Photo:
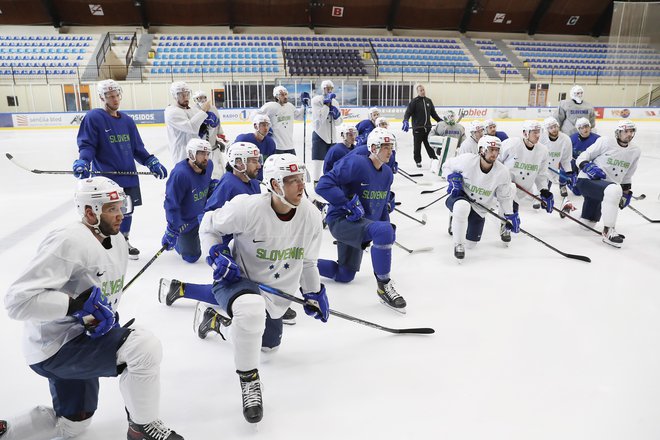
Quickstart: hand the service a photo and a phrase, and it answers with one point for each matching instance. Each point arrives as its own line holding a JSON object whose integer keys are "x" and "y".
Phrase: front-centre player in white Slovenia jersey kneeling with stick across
{"x": 277, "y": 236}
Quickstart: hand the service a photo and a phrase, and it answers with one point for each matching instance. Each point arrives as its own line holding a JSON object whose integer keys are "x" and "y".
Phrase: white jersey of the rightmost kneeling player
{"x": 619, "y": 163}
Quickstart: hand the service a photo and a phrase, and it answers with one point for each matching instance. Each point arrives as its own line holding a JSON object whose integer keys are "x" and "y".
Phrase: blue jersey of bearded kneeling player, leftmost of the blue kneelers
{"x": 185, "y": 195}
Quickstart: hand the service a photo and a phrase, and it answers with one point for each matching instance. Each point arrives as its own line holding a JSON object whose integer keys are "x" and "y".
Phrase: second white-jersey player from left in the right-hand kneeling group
{"x": 527, "y": 161}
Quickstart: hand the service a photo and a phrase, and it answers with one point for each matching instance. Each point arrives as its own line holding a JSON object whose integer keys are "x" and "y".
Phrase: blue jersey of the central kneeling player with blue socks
{"x": 356, "y": 174}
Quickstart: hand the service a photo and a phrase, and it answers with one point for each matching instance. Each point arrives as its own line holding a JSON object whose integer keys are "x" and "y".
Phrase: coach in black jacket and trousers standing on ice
{"x": 421, "y": 109}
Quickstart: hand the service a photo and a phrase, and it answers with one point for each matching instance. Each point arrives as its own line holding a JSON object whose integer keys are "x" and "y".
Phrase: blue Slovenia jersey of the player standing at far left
{"x": 111, "y": 144}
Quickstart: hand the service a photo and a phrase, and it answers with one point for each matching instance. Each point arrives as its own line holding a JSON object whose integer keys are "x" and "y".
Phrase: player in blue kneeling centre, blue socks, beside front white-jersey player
{"x": 358, "y": 190}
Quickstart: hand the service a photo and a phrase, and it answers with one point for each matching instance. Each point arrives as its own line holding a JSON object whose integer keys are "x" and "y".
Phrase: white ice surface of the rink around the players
{"x": 528, "y": 344}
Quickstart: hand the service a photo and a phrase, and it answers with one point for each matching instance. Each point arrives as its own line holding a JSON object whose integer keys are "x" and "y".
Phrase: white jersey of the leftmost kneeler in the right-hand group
{"x": 480, "y": 186}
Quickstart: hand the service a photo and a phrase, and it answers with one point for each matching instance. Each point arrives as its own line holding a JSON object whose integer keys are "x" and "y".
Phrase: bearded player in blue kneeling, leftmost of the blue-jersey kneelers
{"x": 186, "y": 193}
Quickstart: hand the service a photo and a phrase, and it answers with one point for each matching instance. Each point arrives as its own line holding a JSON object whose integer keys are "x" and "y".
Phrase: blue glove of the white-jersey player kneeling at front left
{"x": 93, "y": 302}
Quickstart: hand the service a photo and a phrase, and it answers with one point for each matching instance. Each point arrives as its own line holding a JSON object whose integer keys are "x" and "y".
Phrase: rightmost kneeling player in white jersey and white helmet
{"x": 605, "y": 179}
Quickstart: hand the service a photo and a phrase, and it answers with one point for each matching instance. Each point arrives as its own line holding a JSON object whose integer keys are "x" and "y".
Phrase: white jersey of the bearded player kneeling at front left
{"x": 68, "y": 262}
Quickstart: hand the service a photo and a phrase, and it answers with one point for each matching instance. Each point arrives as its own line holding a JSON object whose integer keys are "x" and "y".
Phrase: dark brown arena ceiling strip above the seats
{"x": 582, "y": 17}
